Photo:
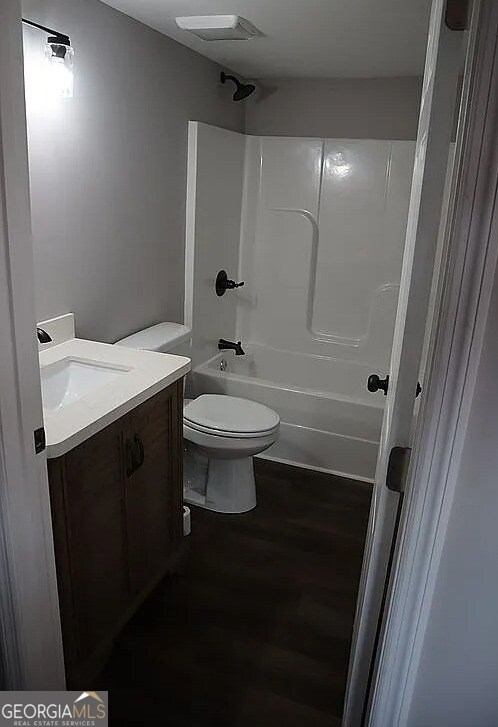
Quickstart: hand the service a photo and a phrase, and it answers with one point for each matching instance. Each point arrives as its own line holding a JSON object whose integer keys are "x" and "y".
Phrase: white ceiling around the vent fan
{"x": 304, "y": 38}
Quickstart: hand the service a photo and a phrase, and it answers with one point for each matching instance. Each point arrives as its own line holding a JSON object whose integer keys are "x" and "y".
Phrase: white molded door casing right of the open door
{"x": 473, "y": 246}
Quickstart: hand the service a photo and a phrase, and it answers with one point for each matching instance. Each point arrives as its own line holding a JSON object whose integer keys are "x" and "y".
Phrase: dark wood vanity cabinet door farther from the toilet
{"x": 95, "y": 524}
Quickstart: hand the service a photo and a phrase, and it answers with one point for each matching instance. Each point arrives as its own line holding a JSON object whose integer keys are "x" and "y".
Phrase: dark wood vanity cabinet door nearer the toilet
{"x": 154, "y": 492}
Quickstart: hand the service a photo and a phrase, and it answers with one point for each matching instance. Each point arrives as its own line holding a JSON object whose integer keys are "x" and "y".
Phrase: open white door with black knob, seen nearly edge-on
{"x": 436, "y": 123}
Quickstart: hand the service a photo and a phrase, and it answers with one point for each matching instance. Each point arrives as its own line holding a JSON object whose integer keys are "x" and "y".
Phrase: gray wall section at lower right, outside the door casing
{"x": 457, "y": 681}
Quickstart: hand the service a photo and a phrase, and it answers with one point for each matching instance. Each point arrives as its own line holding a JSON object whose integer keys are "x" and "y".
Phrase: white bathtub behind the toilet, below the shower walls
{"x": 330, "y": 422}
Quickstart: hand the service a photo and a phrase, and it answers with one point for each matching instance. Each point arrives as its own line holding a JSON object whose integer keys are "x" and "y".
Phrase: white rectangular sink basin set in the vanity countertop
{"x": 67, "y": 380}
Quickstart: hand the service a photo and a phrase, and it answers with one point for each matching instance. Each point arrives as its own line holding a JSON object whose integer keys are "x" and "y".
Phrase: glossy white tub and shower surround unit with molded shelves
{"x": 315, "y": 228}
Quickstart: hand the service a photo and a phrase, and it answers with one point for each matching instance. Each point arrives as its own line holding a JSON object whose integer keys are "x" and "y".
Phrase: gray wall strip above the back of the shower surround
{"x": 376, "y": 108}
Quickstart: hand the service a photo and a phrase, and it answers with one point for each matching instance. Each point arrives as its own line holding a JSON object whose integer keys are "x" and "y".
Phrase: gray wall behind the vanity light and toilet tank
{"x": 108, "y": 168}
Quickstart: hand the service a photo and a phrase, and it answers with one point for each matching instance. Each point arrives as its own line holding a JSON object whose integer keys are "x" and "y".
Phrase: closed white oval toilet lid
{"x": 230, "y": 414}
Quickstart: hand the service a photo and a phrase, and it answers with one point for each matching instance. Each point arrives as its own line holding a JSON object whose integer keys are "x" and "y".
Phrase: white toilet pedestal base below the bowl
{"x": 219, "y": 485}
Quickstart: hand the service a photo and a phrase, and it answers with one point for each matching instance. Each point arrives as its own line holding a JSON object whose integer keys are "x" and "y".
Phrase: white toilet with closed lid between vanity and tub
{"x": 222, "y": 433}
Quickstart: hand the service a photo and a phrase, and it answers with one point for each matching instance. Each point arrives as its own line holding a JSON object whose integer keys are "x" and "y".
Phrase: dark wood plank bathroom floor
{"x": 257, "y": 631}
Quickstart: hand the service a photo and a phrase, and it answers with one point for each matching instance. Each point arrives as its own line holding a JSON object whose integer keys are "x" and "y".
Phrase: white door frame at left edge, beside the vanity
{"x": 30, "y": 632}
